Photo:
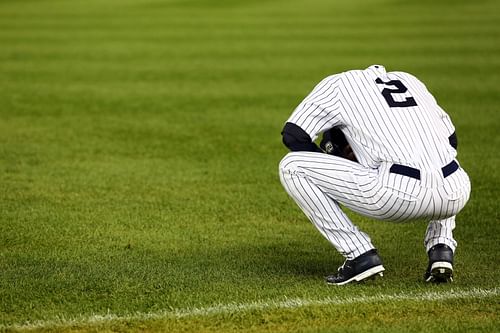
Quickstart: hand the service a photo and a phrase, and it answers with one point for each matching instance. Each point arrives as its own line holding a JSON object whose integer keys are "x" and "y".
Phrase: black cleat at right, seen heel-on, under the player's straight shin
{"x": 440, "y": 268}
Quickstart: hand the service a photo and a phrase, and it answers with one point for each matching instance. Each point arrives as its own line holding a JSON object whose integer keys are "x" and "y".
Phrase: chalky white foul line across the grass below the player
{"x": 291, "y": 303}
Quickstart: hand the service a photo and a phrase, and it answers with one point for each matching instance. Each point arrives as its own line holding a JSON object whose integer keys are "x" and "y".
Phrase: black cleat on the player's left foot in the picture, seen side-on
{"x": 366, "y": 266}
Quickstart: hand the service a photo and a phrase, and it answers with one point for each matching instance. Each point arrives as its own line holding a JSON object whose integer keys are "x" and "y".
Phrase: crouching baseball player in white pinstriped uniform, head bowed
{"x": 388, "y": 151}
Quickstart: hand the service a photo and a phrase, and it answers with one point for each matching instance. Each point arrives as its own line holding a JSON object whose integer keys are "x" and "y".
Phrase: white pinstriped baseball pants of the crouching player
{"x": 319, "y": 183}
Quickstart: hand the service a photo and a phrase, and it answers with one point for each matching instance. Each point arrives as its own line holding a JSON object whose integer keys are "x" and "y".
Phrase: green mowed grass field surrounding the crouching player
{"x": 139, "y": 144}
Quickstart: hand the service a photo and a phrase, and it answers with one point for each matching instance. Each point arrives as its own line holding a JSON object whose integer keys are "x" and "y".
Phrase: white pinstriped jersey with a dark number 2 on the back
{"x": 386, "y": 117}
